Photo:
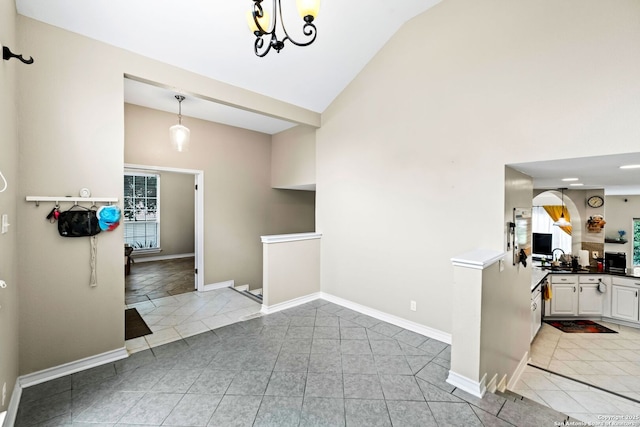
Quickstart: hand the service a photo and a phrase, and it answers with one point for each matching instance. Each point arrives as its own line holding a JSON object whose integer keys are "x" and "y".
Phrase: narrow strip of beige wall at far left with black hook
{"x": 9, "y": 168}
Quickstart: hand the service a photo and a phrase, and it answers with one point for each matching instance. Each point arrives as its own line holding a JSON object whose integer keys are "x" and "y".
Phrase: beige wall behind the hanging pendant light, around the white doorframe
{"x": 240, "y": 204}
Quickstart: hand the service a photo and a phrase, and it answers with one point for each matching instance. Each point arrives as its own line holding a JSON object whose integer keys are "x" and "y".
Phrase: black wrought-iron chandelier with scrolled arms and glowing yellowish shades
{"x": 264, "y": 25}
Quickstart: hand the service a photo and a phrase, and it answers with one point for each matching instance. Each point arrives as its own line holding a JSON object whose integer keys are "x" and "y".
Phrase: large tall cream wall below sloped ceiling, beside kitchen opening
{"x": 411, "y": 155}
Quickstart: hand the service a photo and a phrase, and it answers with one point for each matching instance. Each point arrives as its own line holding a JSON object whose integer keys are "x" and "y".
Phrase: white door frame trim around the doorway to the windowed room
{"x": 198, "y": 220}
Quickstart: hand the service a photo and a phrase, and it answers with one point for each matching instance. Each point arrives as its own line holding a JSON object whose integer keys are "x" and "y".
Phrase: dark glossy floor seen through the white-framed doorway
{"x": 158, "y": 279}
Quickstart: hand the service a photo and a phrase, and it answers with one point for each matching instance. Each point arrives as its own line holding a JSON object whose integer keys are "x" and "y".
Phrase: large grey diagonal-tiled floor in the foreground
{"x": 318, "y": 364}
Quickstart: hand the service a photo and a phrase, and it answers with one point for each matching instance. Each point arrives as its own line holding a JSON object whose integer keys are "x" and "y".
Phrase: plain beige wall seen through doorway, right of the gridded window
{"x": 177, "y": 213}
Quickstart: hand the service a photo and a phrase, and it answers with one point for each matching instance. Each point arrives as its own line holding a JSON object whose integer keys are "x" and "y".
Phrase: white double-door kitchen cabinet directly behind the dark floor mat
{"x": 574, "y": 295}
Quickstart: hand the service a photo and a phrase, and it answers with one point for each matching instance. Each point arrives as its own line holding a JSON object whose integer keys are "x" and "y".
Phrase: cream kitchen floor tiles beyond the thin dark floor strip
{"x": 609, "y": 361}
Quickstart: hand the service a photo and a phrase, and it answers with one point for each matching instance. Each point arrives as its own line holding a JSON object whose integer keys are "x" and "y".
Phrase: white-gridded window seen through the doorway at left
{"x": 142, "y": 211}
